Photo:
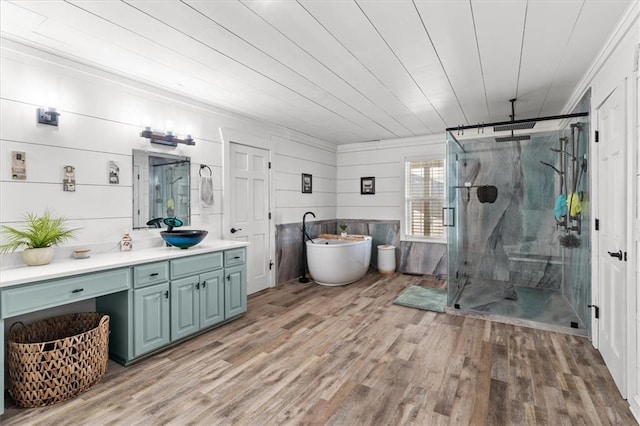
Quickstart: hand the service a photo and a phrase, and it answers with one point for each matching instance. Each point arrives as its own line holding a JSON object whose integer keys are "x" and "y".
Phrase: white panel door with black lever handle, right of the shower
{"x": 612, "y": 214}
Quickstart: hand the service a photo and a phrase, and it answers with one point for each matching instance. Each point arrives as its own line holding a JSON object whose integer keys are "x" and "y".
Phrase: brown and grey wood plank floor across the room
{"x": 306, "y": 354}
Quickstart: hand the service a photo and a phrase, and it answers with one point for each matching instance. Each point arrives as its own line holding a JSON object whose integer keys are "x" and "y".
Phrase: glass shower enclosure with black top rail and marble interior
{"x": 511, "y": 252}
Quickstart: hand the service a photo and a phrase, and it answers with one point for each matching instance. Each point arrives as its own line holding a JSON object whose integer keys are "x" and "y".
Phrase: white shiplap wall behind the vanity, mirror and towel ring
{"x": 101, "y": 117}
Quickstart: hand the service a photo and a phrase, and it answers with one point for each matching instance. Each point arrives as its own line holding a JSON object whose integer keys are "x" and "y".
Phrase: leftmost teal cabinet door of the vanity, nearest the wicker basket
{"x": 151, "y": 318}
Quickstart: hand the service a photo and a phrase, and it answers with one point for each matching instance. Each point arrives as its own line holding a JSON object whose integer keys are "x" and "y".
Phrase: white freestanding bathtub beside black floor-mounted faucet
{"x": 338, "y": 262}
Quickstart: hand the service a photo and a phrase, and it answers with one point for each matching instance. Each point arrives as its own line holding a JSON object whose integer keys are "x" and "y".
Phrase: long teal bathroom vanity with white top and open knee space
{"x": 155, "y": 297}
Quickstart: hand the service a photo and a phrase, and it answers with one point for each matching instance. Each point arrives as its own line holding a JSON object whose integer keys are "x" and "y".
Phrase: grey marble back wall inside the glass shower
{"x": 517, "y": 234}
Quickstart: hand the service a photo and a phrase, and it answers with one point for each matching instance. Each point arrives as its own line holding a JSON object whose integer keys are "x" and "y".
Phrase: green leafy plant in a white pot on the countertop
{"x": 38, "y": 237}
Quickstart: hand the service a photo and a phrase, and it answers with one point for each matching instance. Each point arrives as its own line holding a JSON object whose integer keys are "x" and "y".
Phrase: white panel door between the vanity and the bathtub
{"x": 249, "y": 220}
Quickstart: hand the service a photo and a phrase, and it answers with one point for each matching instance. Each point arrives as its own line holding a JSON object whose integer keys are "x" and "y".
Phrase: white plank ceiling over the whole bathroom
{"x": 340, "y": 70}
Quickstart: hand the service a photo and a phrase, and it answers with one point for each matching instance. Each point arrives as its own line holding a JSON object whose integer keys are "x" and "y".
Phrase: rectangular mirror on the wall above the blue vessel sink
{"x": 161, "y": 188}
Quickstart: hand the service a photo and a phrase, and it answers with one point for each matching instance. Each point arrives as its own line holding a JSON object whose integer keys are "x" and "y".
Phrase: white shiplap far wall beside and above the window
{"x": 384, "y": 161}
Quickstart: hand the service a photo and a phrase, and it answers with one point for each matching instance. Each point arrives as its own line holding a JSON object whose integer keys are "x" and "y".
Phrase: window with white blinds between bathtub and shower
{"x": 425, "y": 198}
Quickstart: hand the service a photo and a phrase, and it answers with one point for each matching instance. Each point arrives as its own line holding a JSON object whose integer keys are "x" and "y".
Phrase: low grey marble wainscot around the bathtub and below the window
{"x": 411, "y": 257}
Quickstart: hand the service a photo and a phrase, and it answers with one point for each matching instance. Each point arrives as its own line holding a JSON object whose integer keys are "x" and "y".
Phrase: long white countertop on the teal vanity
{"x": 104, "y": 261}
